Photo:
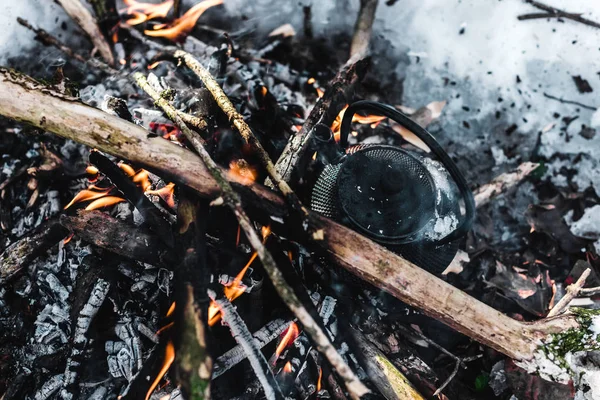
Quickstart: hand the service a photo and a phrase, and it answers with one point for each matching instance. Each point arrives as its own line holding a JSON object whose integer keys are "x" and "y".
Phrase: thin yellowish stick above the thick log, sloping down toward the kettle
{"x": 237, "y": 120}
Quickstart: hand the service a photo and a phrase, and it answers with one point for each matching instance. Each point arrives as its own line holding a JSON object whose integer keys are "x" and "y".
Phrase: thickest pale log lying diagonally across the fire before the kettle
{"x": 68, "y": 118}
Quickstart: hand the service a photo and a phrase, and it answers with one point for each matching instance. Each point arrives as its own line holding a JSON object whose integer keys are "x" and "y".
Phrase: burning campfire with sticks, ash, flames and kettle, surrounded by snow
{"x": 196, "y": 209}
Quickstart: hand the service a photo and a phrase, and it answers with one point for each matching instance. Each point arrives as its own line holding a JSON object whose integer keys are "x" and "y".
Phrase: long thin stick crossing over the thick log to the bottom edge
{"x": 232, "y": 200}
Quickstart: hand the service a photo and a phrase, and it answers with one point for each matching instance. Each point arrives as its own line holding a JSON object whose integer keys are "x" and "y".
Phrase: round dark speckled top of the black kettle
{"x": 364, "y": 199}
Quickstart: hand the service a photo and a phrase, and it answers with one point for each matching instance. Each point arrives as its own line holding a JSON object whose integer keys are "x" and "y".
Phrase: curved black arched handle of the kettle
{"x": 395, "y": 115}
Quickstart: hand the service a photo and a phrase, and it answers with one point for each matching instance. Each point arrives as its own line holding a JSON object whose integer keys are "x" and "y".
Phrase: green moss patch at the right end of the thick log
{"x": 573, "y": 339}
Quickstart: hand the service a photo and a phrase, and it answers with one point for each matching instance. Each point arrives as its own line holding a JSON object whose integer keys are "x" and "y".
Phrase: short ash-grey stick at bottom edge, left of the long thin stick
{"x": 244, "y": 338}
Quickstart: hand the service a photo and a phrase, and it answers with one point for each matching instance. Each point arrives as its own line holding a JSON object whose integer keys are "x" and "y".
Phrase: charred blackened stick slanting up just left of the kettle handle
{"x": 333, "y": 100}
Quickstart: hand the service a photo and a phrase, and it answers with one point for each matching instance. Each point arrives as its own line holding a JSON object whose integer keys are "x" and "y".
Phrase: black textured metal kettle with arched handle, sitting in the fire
{"x": 401, "y": 199}
